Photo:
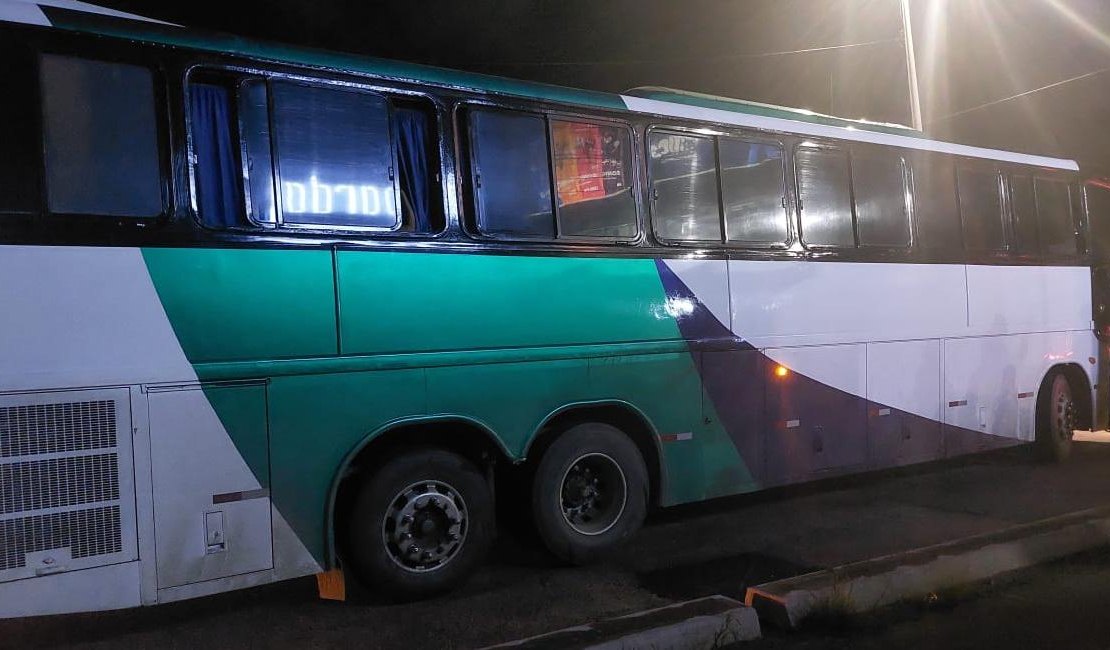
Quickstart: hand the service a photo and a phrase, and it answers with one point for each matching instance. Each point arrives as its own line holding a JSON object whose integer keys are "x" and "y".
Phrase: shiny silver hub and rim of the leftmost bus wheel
{"x": 426, "y": 526}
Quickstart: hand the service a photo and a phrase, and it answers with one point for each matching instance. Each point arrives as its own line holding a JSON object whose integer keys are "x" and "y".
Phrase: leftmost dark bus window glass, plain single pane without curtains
{"x": 102, "y": 138}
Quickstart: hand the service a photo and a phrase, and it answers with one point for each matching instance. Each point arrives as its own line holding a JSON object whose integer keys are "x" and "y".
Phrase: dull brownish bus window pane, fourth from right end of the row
{"x": 936, "y": 214}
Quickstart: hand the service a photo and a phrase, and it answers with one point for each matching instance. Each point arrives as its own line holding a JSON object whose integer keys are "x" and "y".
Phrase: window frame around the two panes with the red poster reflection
{"x": 473, "y": 227}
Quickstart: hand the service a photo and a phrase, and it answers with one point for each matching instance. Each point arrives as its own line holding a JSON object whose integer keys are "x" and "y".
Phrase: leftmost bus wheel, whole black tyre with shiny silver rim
{"x": 420, "y": 525}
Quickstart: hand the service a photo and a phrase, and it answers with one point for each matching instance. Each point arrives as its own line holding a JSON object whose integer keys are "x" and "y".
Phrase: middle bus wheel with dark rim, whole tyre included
{"x": 590, "y": 492}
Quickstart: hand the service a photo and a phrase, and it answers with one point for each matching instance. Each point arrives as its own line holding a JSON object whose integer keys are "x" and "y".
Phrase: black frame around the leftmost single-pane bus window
{"x": 160, "y": 100}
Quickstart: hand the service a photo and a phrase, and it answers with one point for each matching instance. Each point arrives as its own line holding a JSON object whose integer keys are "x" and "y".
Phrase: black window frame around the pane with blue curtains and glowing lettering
{"x": 243, "y": 74}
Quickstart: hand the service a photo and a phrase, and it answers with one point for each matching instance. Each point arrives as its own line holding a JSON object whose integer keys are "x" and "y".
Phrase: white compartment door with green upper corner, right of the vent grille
{"x": 210, "y": 473}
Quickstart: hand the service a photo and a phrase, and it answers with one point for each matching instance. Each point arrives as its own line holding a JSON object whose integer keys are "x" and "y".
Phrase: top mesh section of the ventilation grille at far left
{"x": 53, "y": 429}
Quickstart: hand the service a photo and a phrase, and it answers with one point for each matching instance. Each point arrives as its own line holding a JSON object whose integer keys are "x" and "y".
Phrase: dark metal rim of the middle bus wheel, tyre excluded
{"x": 593, "y": 494}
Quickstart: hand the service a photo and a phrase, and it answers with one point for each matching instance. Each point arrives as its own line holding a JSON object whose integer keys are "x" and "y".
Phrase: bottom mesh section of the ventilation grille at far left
{"x": 86, "y": 533}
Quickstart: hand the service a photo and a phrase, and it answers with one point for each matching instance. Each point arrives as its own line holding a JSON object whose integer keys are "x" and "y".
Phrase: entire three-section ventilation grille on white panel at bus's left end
{"x": 60, "y": 481}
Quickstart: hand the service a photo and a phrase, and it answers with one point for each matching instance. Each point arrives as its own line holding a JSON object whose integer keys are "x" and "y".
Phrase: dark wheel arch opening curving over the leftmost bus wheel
{"x": 466, "y": 436}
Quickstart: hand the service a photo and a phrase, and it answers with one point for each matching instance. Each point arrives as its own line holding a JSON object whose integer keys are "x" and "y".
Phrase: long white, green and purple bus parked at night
{"x": 270, "y": 312}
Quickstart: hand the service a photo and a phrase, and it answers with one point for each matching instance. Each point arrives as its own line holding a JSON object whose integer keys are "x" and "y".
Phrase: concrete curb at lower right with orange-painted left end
{"x": 872, "y": 584}
